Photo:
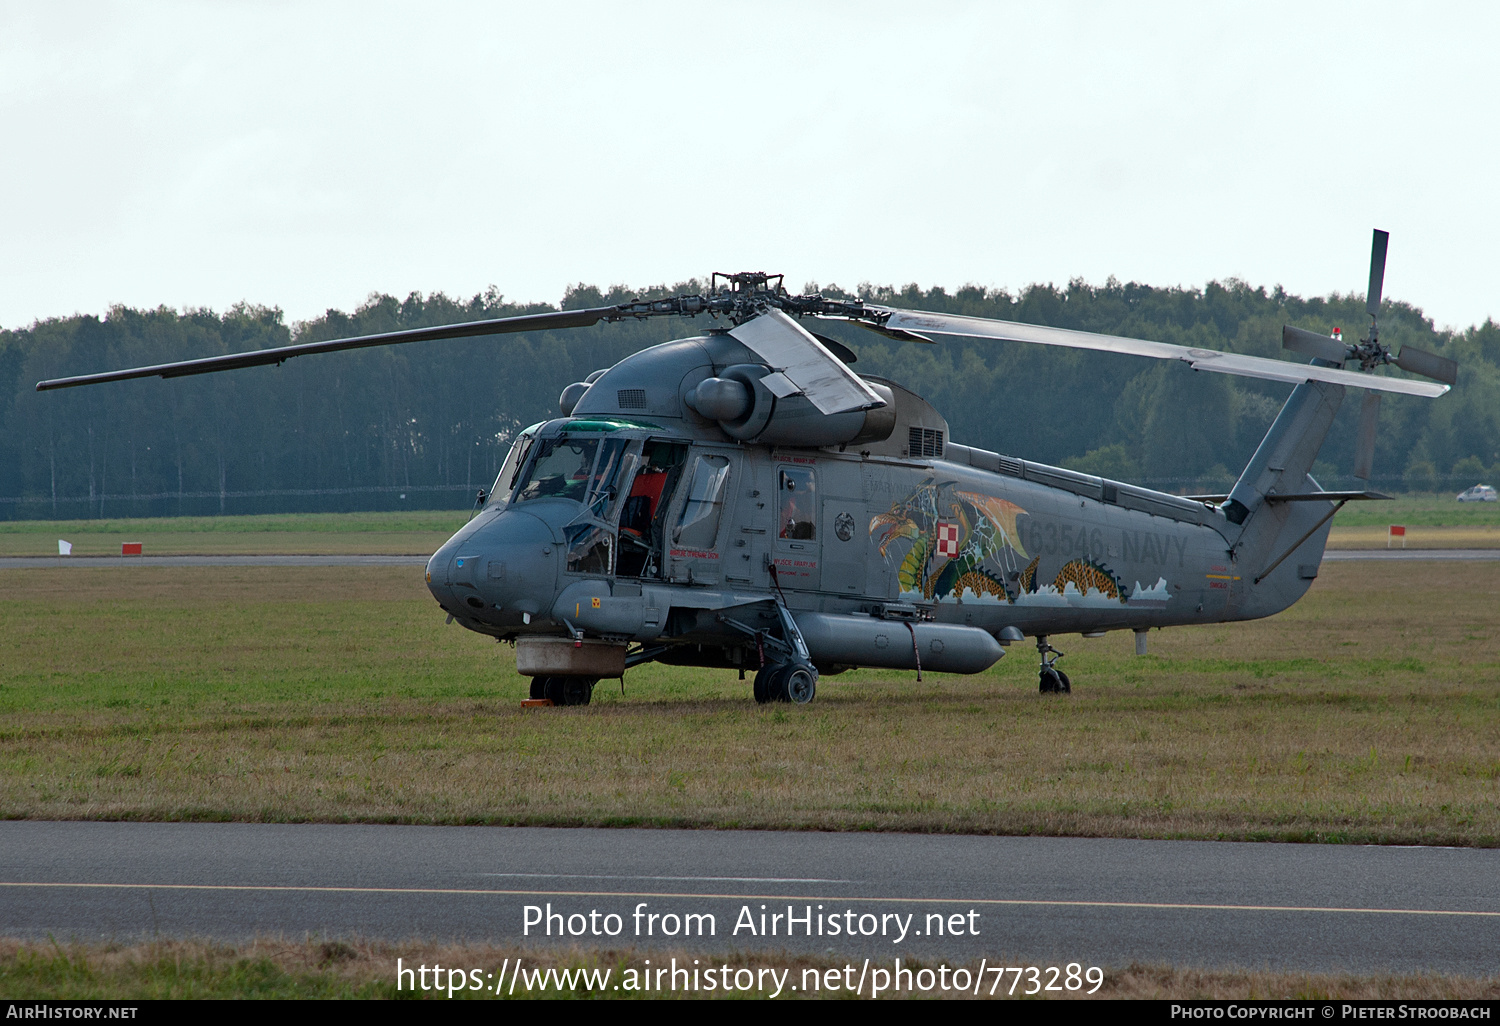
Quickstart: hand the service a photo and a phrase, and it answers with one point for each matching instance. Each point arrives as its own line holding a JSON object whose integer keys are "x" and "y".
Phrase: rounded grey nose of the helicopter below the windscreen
{"x": 502, "y": 568}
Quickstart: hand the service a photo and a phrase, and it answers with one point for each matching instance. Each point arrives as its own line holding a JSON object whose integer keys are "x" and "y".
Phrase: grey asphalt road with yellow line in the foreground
{"x": 1040, "y": 901}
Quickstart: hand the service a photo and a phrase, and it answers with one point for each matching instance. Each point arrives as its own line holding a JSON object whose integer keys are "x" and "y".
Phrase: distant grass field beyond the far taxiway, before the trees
{"x": 1435, "y": 521}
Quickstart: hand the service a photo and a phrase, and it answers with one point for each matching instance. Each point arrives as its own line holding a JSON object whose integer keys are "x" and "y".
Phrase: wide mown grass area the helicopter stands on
{"x": 1367, "y": 713}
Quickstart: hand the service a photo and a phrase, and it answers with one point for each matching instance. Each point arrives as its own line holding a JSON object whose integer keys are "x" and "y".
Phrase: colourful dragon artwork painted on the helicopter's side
{"x": 970, "y": 544}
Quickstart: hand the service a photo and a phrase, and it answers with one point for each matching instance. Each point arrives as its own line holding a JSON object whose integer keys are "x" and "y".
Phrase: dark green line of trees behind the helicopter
{"x": 427, "y": 425}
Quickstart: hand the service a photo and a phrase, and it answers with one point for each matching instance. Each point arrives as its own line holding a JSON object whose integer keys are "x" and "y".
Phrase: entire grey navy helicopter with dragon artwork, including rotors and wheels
{"x": 743, "y": 500}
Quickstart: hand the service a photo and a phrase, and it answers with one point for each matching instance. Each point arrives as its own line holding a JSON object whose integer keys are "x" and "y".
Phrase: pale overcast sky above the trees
{"x": 305, "y": 155}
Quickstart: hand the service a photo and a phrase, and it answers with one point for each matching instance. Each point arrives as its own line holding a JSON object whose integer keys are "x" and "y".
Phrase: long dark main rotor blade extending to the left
{"x": 262, "y": 358}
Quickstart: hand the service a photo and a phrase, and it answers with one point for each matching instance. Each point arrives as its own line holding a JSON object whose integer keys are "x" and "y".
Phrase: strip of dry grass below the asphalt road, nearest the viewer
{"x": 278, "y": 970}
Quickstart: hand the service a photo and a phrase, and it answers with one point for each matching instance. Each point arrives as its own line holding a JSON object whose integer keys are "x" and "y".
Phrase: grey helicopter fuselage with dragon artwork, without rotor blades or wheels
{"x": 662, "y": 514}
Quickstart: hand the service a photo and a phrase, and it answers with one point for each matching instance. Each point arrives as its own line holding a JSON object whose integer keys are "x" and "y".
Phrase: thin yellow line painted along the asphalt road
{"x": 763, "y": 898}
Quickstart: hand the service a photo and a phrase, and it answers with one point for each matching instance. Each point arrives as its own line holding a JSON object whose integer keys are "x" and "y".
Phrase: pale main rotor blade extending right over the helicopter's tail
{"x": 1247, "y": 367}
